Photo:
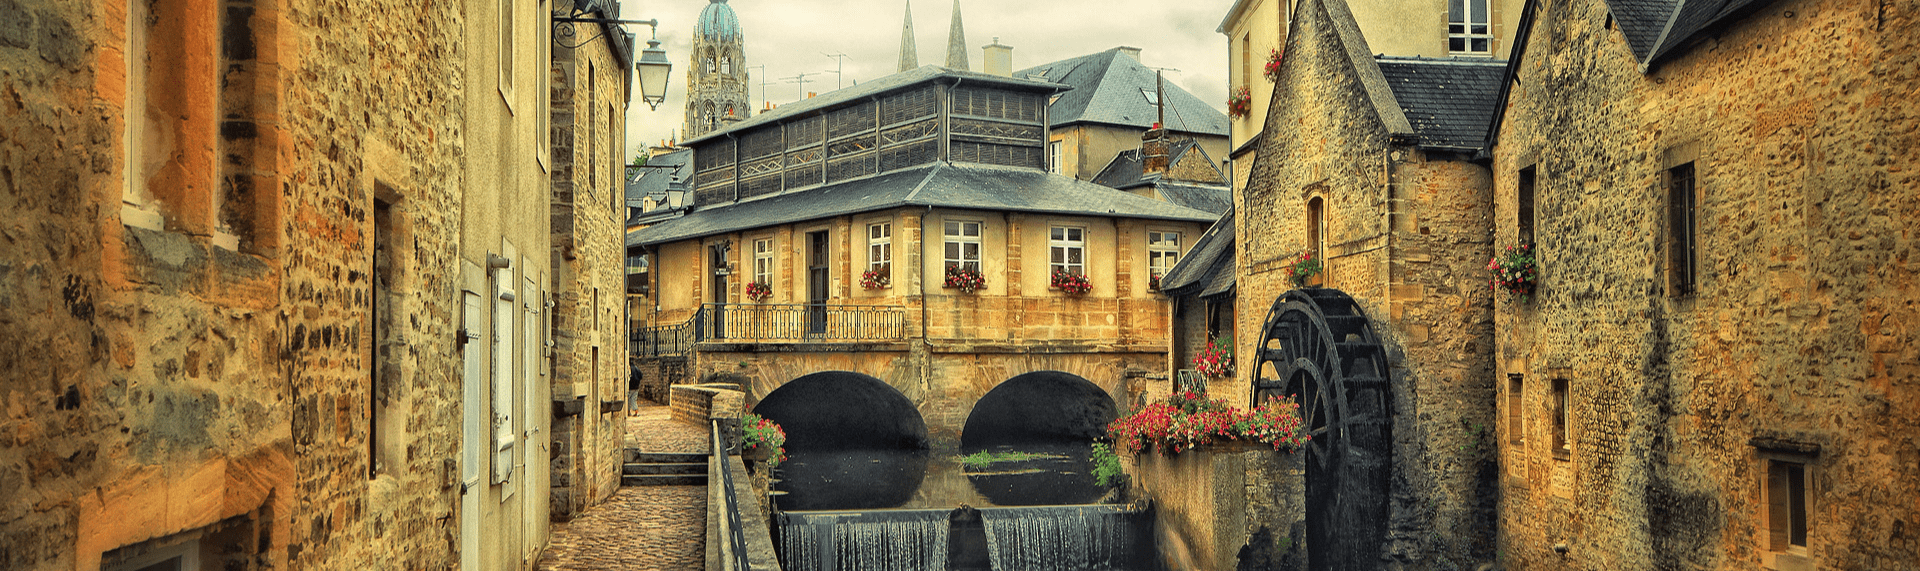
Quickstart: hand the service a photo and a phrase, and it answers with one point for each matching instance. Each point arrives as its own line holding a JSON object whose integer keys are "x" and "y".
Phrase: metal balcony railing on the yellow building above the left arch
{"x": 800, "y": 322}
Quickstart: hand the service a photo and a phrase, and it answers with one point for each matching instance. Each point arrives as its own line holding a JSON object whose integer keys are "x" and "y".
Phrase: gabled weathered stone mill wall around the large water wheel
{"x": 1406, "y": 236}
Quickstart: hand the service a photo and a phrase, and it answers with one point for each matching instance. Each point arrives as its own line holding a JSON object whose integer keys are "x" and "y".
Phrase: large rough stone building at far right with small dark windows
{"x": 1717, "y": 366}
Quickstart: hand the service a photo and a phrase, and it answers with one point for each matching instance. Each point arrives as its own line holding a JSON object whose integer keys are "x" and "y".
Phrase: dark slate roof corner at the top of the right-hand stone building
{"x": 1656, "y": 30}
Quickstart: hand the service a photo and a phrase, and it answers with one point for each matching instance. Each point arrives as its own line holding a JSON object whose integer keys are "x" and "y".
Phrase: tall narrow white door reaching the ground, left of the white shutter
{"x": 473, "y": 434}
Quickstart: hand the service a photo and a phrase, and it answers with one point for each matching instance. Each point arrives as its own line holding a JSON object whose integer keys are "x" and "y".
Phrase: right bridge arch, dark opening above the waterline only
{"x": 1042, "y": 407}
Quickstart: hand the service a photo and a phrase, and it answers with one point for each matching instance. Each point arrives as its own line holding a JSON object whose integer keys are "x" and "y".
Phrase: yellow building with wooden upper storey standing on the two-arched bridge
{"x": 852, "y": 207}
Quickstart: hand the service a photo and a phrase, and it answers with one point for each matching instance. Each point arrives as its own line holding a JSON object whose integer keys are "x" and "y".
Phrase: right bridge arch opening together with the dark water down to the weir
{"x": 1047, "y": 414}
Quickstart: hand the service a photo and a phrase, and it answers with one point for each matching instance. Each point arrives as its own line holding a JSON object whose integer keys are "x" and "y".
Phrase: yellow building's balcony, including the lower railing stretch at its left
{"x": 765, "y": 324}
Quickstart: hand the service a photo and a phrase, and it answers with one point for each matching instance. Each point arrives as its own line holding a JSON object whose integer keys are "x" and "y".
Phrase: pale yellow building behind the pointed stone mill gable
{"x": 1257, "y": 32}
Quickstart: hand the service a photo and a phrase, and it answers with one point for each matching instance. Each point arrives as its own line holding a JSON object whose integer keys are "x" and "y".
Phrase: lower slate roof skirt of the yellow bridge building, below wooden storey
{"x": 944, "y": 186}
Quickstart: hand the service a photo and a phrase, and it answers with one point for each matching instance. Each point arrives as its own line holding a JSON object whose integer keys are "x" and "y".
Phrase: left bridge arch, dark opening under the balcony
{"x": 844, "y": 410}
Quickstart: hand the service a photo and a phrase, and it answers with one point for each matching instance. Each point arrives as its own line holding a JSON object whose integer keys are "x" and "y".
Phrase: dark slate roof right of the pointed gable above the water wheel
{"x": 1451, "y": 103}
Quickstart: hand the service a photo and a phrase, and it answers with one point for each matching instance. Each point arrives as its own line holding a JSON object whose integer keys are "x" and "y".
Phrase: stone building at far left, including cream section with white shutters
{"x": 276, "y": 287}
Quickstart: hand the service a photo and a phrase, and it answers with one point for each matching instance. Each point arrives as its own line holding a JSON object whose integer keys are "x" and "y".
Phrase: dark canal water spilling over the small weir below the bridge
{"x": 926, "y": 510}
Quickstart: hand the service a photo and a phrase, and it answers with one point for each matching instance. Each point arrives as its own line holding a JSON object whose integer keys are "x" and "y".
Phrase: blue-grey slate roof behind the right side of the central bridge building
{"x": 1107, "y": 89}
